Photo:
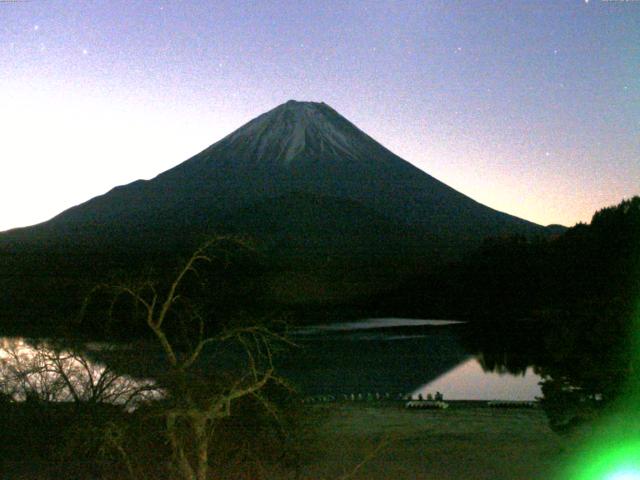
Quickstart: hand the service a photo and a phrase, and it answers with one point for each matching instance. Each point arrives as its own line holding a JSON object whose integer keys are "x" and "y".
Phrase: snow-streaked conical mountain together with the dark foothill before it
{"x": 300, "y": 178}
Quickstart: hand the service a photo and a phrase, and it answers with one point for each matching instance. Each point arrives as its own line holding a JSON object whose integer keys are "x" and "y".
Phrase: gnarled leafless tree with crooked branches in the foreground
{"x": 197, "y": 399}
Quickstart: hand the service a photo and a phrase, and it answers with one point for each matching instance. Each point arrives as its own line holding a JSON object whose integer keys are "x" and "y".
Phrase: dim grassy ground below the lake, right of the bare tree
{"x": 463, "y": 442}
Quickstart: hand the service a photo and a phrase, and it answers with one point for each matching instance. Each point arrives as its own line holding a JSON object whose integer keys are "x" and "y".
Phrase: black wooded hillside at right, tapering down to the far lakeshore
{"x": 588, "y": 269}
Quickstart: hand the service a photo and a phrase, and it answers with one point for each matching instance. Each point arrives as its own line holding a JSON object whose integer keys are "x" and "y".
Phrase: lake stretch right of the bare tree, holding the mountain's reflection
{"x": 400, "y": 356}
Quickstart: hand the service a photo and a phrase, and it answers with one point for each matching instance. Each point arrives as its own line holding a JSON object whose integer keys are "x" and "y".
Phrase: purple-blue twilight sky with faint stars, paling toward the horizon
{"x": 530, "y": 107}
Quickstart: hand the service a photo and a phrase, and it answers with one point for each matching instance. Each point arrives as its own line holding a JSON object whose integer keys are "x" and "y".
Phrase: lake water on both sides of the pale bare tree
{"x": 395, "y": 356}
